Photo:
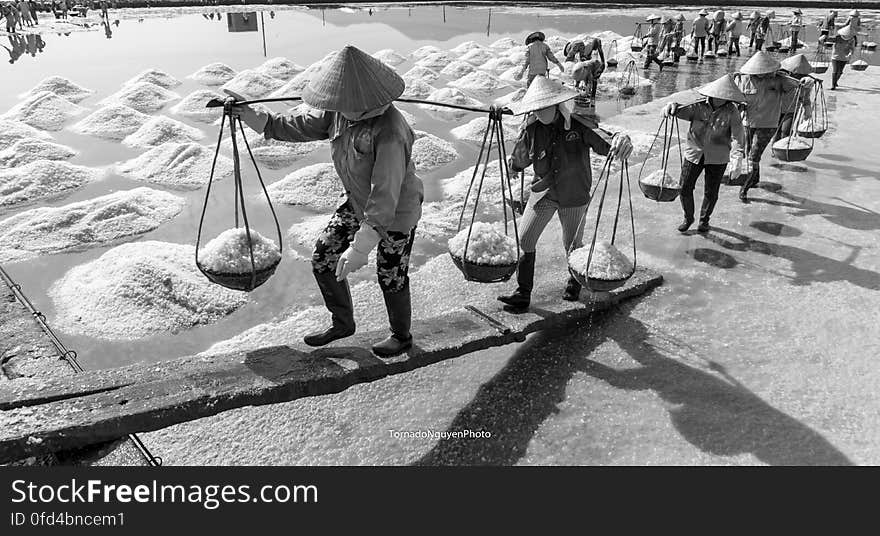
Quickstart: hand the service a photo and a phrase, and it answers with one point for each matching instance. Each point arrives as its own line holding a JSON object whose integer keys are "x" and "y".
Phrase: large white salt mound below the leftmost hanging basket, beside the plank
{"x": 137, "y": 290}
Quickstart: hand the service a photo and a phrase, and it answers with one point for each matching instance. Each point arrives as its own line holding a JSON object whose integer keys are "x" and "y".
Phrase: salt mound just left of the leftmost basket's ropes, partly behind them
{"x": 180, "y": 165}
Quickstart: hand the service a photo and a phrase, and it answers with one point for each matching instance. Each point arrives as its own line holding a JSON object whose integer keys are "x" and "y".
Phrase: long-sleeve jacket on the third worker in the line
{"x": 711, "y": 131}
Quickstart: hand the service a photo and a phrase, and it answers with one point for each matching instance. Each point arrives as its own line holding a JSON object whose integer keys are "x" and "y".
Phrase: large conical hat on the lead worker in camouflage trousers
{"x": 353, "y": 81}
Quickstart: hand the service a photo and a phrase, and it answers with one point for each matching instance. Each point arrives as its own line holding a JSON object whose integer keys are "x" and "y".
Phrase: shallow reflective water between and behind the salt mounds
{"x": 182, "y": 43}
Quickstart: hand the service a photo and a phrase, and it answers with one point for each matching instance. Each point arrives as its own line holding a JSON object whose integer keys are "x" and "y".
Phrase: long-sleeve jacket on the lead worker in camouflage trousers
{"x": 372, "y": 159}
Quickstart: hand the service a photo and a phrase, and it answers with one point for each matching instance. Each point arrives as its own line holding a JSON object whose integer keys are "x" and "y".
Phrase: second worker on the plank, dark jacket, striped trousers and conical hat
{"x": 557, "y": 145}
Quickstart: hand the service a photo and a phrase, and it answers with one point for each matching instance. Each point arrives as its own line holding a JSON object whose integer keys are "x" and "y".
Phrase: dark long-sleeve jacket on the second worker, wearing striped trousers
{"x": 562, "y": 154}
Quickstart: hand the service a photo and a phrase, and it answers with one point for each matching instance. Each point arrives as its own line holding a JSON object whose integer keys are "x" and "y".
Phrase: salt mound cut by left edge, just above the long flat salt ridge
{"x": 42, "y": 179}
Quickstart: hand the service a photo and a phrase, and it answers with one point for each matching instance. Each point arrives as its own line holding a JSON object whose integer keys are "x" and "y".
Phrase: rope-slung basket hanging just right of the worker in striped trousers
{"x": 597, "y": 284}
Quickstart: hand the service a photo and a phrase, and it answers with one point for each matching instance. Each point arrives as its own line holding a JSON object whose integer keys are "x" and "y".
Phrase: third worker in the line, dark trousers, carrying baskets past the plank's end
{"x": 715, "y": 122}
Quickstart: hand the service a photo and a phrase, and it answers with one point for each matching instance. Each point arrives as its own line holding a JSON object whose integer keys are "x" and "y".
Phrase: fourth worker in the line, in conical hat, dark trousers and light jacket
{"x": 764, "y": 88}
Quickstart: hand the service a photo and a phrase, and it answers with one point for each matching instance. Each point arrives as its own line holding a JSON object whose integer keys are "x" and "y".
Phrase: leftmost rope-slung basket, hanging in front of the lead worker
{"x": 256, "y": 276}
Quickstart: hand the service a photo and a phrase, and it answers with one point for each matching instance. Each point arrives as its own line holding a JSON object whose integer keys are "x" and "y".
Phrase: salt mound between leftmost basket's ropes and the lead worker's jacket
{"x": 316, "y": 186}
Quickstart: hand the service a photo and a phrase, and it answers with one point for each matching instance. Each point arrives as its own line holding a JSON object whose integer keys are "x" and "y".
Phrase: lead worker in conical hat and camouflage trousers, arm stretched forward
{"x": 370, "y": 143}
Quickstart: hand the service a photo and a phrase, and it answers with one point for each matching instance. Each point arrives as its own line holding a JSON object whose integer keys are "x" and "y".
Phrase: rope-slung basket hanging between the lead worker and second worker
{"x": 471, "y": 269}
